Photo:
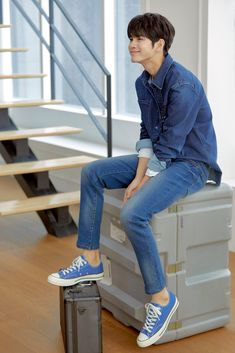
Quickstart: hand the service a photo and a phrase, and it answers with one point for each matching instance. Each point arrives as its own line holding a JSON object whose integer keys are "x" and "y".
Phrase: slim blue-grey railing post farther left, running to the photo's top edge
{"x": 52, "y": 48}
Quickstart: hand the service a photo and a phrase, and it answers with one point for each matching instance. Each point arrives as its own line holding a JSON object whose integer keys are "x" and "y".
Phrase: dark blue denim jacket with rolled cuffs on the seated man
{"x": 176, "y": 119}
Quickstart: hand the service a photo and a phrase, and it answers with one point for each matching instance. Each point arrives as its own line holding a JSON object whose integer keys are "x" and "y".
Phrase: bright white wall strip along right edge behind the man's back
{"x": 221, "y": 79}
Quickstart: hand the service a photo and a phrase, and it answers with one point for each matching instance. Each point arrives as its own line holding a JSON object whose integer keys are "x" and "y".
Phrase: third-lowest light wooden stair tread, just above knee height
{"x": 49, "y": 131}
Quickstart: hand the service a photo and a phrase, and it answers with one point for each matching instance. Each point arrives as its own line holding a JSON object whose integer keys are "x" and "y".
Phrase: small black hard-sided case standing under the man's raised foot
{"x": 80, "y": 318}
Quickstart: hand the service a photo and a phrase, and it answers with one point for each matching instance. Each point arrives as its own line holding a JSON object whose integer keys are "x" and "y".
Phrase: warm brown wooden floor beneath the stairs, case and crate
{"x": 29, "y": 306}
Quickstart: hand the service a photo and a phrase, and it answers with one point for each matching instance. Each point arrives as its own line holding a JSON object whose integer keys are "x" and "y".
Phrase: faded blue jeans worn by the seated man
{"x": 181, "y": 178}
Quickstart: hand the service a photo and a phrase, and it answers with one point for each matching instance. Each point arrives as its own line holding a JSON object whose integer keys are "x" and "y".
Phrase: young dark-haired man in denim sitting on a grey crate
{"x": 176, "y": 156}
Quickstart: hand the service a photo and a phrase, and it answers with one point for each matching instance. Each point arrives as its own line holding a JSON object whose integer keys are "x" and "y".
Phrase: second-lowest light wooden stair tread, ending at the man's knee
{"x": 39, "y": 166}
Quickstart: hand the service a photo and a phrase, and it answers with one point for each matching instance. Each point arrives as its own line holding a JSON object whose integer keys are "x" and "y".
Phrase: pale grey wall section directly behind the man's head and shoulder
{"x": 189, "y": 18}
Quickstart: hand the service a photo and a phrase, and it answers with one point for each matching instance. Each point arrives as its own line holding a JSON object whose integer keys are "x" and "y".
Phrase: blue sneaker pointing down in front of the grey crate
{"x": 157, "y": 320}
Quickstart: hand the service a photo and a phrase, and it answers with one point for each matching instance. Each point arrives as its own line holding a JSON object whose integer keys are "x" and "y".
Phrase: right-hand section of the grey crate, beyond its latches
{"x": 203, "y": 277}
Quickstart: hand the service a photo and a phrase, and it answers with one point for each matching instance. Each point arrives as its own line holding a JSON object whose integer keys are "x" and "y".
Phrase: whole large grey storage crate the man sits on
{"x": 192, "y": 238}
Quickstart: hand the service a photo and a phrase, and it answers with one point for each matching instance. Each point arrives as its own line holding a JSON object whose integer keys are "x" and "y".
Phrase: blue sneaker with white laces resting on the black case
{"x": 79, "y": 271}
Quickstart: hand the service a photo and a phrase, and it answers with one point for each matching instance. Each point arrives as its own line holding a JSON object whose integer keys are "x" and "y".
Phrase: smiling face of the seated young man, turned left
{"x": 142, "y": 50}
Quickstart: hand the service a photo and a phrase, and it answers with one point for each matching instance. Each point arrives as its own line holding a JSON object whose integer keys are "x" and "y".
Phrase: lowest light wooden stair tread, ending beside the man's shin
{"x": 39, "y": 203}
